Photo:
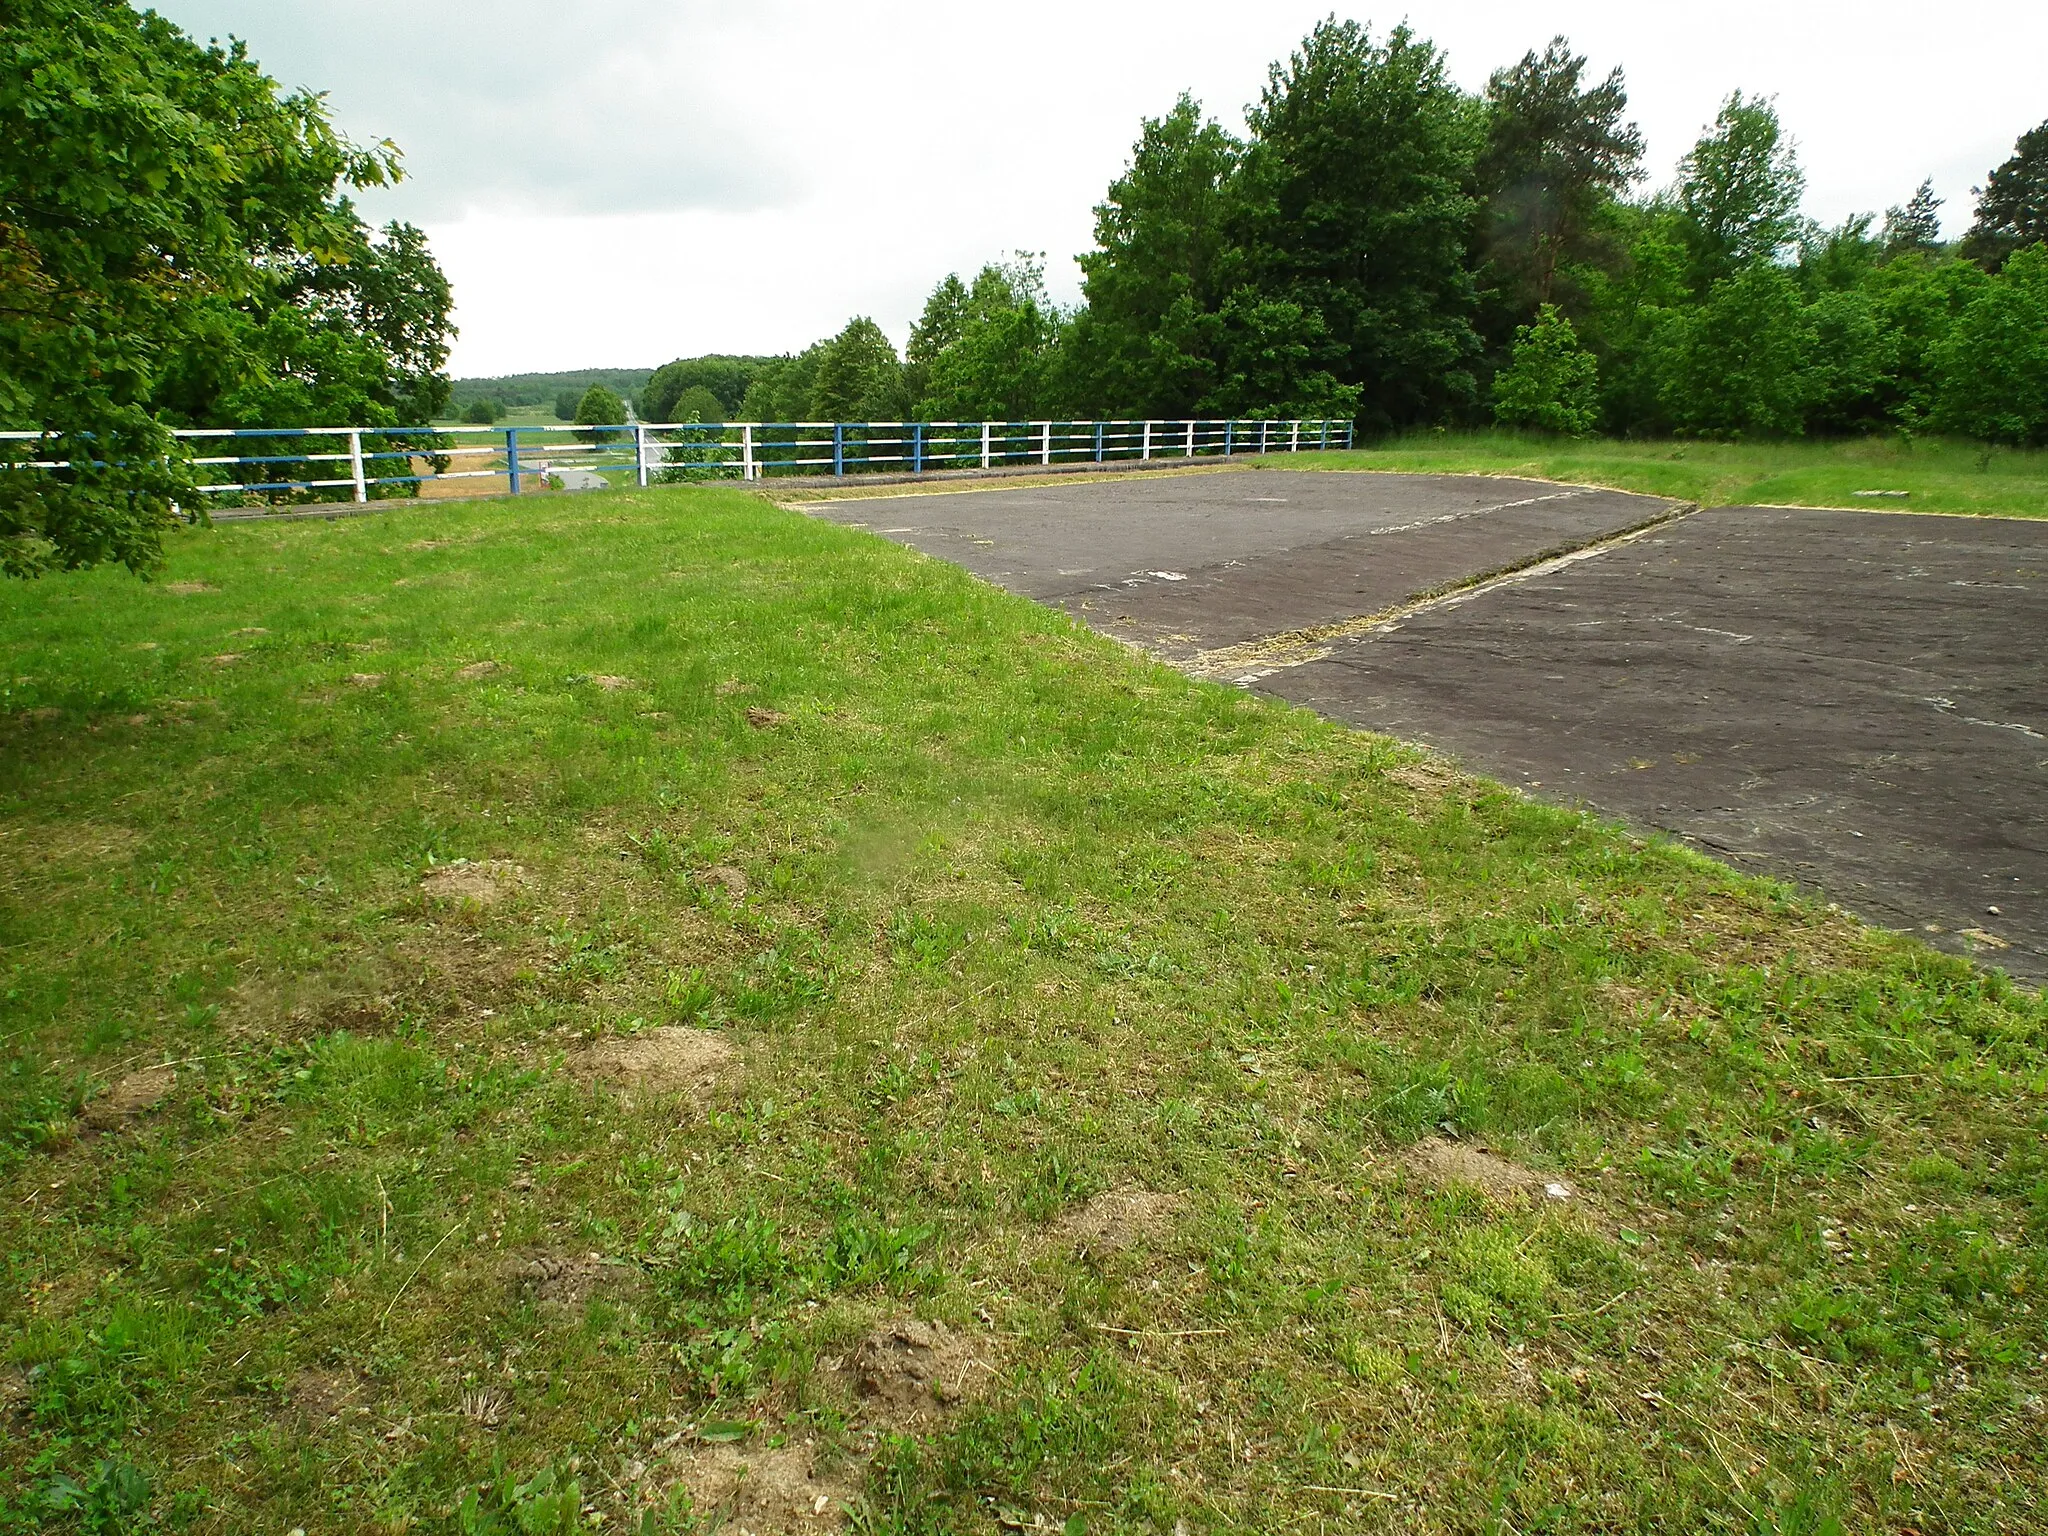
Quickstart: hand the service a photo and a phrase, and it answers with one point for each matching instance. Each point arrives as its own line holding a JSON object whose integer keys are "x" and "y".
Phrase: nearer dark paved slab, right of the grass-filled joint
{"x": 1857, "y": 701}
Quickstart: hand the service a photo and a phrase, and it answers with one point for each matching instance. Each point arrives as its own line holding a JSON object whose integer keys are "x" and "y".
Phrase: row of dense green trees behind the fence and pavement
{"x": 1392, "y": 249}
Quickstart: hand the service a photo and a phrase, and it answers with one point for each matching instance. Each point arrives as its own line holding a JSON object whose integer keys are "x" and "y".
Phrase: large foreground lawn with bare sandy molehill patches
{"x": 519, "y": 1013}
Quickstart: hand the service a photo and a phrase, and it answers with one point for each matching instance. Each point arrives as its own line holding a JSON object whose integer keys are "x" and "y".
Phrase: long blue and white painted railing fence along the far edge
{"x": 327, "y": 464}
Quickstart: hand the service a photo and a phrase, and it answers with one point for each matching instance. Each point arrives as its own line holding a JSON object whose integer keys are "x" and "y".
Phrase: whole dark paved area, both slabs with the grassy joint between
{"x": 1852, "y": 701}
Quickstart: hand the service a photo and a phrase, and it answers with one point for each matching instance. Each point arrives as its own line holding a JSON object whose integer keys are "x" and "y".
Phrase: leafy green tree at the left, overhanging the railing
{"x": 177, "y": 249}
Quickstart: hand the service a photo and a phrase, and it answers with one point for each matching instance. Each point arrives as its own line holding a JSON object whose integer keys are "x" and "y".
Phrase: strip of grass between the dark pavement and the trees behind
{"x": 1938, "y": 476}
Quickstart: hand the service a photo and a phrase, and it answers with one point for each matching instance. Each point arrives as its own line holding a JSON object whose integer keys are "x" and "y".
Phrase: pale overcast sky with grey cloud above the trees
{"x": 613, "y": 183}
